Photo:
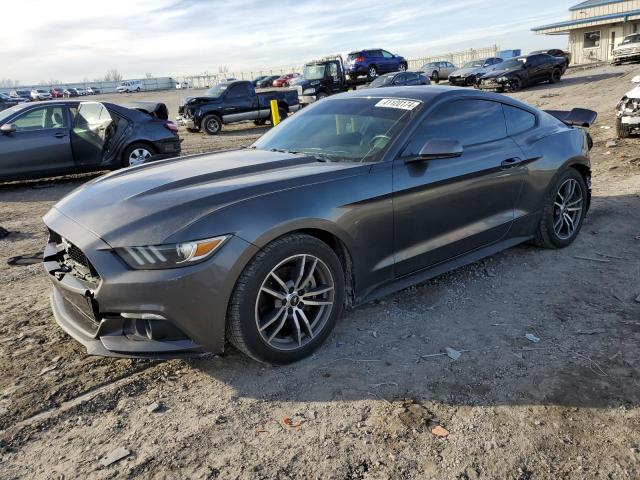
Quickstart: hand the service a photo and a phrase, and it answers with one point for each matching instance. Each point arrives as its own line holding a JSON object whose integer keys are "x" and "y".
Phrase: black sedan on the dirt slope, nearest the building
{"x": 520, "y": 72}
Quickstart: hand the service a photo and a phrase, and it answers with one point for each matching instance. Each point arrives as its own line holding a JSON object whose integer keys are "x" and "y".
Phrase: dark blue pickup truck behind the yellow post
{"x": 233, "y": 102}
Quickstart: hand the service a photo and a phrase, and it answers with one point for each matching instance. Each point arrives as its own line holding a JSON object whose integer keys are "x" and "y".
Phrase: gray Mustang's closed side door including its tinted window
{"x": 450, "y": 206}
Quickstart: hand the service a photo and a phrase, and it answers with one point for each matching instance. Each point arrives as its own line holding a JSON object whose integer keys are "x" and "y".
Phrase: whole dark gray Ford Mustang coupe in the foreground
{"x": 356, "y": 196}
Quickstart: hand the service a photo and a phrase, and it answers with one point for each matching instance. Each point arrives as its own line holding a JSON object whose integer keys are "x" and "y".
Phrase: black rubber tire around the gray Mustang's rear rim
{"x": 546, "y": 235}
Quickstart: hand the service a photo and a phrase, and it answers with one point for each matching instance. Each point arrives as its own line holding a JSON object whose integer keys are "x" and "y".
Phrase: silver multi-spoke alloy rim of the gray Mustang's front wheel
{"x": 294, "y": 302}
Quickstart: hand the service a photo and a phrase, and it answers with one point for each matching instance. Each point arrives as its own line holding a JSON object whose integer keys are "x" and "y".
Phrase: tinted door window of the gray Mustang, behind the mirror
{"x": 469, "y": 121}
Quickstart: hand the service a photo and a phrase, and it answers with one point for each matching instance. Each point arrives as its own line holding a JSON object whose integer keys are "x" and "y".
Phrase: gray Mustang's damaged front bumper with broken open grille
{"x": 116, "y": 311}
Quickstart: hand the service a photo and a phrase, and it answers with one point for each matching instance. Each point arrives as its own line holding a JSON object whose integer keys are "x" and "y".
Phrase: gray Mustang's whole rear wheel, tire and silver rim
{"x": 564, "y": 211}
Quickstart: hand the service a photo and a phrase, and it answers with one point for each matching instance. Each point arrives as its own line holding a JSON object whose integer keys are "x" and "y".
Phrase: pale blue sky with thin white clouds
{"x": 80, "y": 39}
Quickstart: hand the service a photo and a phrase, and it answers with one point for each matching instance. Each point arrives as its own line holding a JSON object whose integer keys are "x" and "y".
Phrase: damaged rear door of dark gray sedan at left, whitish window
{"x": 92, "y": 128}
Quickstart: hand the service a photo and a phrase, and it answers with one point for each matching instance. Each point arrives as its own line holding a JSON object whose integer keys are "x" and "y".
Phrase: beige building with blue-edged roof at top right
{"x": 596, "y": 27}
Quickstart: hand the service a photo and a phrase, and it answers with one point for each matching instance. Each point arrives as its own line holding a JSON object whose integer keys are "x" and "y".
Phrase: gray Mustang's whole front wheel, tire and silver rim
{"x": 287, "y": 300}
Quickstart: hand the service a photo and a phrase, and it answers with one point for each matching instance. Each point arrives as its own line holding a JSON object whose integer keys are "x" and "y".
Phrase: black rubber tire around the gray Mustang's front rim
{"x": 242, "y": 328}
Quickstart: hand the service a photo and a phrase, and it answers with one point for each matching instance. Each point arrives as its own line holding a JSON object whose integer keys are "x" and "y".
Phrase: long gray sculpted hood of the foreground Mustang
{"x": 153, "y": 203}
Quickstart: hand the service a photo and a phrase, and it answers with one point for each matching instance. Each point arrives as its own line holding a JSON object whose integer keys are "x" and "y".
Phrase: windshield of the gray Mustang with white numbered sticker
{"x": 343, "y": 130}
